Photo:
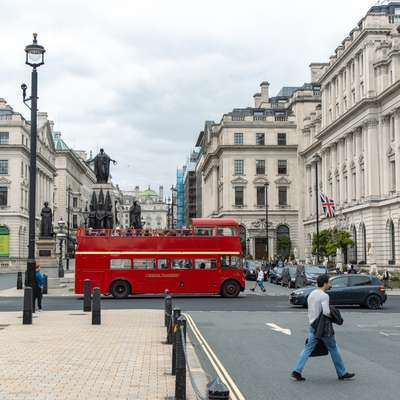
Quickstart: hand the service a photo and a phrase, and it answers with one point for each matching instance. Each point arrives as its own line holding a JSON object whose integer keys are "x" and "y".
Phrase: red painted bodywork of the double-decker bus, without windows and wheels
{"x": 93, "y": 255}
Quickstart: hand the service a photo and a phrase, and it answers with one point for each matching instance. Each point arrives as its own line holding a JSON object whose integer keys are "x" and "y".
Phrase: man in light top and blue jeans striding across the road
{"x": 318, "y": 303}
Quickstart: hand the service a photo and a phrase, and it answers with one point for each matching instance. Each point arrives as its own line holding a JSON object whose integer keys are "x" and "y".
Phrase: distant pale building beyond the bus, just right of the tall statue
{"x": 153, "y": 206}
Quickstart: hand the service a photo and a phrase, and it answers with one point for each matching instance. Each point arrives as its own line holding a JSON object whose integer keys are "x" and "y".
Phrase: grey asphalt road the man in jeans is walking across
{"x": 260, "y": 359}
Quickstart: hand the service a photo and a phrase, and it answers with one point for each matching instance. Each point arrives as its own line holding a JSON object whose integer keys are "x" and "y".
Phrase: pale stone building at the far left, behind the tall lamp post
{"x": 14, "y": 182}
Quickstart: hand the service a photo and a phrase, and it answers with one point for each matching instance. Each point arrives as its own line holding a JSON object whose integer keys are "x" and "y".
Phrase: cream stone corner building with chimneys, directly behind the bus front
{"x": 248, "y": 148}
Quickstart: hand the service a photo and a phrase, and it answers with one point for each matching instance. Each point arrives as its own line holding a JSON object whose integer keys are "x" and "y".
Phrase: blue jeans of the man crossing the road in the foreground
{"x": 330, "y": 344}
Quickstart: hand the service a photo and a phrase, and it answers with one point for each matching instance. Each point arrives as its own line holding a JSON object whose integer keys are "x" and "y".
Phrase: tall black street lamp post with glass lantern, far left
{"x": 34, "y": 58}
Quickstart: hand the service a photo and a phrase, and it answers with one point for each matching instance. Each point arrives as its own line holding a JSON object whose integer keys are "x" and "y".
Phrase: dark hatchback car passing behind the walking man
{"x": 361, "y": 289}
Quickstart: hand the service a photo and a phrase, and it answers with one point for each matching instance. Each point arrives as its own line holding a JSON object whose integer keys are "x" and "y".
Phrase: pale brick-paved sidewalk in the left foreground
{"x": 62, "y": 356}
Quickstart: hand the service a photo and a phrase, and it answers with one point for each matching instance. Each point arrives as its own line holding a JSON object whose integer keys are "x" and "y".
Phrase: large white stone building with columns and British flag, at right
{"x": 356, "y": 131}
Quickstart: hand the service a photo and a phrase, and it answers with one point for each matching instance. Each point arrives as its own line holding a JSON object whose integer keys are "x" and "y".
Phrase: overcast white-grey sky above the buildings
{"x": 139, "y": 78}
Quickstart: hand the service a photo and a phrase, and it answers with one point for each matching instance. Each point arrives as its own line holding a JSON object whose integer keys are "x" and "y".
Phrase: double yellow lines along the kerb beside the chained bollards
{"x": 235, "y": 393}
